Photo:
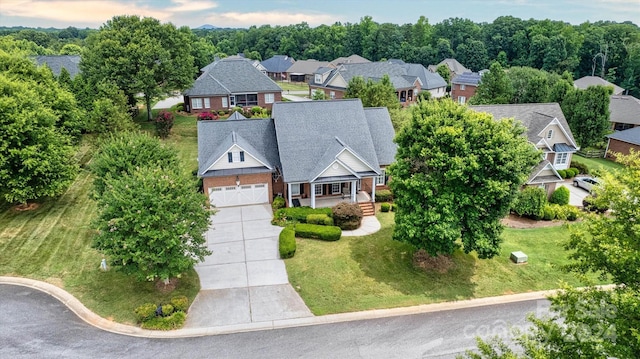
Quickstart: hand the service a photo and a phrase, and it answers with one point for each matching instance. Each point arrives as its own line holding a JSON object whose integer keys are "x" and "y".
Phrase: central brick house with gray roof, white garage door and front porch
{"x": 308, "y": 151}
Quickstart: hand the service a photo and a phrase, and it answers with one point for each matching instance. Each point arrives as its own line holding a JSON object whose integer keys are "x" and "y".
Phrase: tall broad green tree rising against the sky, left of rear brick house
{"x": 140, "y": 55}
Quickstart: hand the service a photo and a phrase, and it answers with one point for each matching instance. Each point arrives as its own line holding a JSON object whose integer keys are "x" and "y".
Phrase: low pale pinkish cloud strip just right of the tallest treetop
{"x": 238, "y": 19}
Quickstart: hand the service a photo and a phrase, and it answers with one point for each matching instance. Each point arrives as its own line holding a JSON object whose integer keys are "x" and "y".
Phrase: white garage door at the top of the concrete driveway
{"x": 239, "y": 195}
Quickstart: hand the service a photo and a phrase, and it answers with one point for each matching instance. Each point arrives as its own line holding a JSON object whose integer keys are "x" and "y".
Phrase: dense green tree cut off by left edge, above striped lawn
{"x": 36, "y": 158}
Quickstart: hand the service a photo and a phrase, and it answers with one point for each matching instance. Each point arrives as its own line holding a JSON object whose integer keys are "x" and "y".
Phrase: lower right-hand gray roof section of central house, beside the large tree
{"x": 382, "y": 134}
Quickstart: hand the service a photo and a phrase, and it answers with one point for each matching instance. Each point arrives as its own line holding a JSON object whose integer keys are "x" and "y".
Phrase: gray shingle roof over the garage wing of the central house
{"x": 256, "y": 137}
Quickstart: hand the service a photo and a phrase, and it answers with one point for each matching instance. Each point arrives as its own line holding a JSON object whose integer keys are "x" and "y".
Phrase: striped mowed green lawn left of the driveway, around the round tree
{"x": 53, "y": 243}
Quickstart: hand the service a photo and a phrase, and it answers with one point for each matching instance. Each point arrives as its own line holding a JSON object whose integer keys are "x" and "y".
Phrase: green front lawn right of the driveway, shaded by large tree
{"x": 361, "y": 273}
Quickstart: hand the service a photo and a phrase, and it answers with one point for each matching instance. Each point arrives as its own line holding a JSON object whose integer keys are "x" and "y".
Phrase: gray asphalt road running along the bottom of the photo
{"x": 35, "y": 325}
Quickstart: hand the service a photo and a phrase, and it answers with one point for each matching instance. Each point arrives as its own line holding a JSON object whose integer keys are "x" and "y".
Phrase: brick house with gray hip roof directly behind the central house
{"x": 228, "y": 83}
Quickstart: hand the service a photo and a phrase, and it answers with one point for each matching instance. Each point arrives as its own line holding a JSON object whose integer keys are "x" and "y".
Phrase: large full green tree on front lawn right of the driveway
{"x": 455, "y": 175}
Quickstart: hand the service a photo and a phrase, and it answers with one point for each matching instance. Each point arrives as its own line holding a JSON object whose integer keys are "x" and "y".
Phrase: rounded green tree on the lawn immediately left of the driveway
{"x": 151, "y": 223}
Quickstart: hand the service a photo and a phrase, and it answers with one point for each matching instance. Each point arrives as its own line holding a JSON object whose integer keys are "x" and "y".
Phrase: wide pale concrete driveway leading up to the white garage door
{"x": 244, "y": 280}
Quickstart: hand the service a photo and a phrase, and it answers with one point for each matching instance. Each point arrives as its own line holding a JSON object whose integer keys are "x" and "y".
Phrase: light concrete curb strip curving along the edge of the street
{"x": 101, "y": 323}
